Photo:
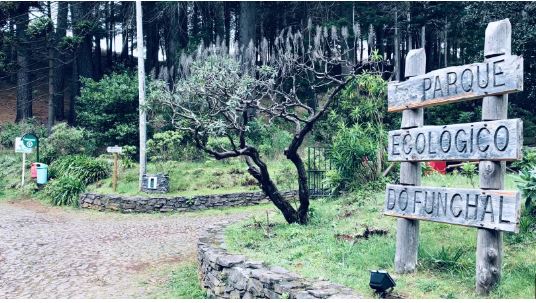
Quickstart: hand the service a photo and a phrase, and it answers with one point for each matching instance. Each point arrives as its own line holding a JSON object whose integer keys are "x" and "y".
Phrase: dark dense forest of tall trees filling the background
{"x": 57, "y": 41}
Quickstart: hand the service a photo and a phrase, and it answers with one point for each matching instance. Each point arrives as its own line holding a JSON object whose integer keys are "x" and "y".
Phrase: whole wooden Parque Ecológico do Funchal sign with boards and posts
{"x": 492, "y": 141}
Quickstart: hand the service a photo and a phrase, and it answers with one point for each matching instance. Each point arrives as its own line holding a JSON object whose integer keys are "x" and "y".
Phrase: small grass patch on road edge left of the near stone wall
{"x": 183, "y": 284}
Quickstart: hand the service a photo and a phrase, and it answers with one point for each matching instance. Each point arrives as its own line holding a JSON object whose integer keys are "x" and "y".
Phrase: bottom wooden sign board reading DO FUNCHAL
{"x": 492, "y": 209}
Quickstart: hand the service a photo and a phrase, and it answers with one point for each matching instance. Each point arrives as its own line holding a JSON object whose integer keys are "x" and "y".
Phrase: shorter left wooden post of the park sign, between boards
{"x": 407, "y": 231}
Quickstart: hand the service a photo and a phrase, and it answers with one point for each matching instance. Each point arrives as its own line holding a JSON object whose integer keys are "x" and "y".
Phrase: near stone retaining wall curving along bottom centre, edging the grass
{"x": 225, "y": 275}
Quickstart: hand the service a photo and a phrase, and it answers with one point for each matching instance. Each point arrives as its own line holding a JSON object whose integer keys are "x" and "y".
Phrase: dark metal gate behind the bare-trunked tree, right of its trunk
{"x": 318, "y": 163}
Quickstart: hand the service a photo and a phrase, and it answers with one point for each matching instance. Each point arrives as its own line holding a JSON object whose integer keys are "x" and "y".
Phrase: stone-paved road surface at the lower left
{"x": 48, "y": 252}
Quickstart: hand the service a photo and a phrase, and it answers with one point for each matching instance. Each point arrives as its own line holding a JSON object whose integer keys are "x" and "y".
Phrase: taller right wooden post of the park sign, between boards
{"x": 489, "y": 242}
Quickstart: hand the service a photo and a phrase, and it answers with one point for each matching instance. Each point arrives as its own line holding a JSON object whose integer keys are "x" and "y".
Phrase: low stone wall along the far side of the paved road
{"x": 142, "y": 204}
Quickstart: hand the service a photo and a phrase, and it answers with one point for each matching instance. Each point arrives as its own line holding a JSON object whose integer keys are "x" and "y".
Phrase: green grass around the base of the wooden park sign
{"x": 446, "y": 257}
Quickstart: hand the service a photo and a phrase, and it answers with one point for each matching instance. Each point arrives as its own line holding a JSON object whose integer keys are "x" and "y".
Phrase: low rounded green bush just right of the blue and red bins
{"x": 86, "y": 169}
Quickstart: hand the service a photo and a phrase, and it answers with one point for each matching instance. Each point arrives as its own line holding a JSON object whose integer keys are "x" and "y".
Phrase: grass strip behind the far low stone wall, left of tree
{"x": 196, "y": 178}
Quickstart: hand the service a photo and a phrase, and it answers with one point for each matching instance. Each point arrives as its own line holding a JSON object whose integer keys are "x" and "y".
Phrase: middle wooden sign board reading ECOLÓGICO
{"x": 490, "y": 140}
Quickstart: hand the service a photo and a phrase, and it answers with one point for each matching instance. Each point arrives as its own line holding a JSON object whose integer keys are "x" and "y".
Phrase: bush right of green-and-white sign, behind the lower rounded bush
{"x": 65, "y": 140}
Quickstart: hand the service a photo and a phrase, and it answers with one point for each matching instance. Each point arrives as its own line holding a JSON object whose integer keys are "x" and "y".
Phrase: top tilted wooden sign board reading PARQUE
{"x": 497, "y": 76}
